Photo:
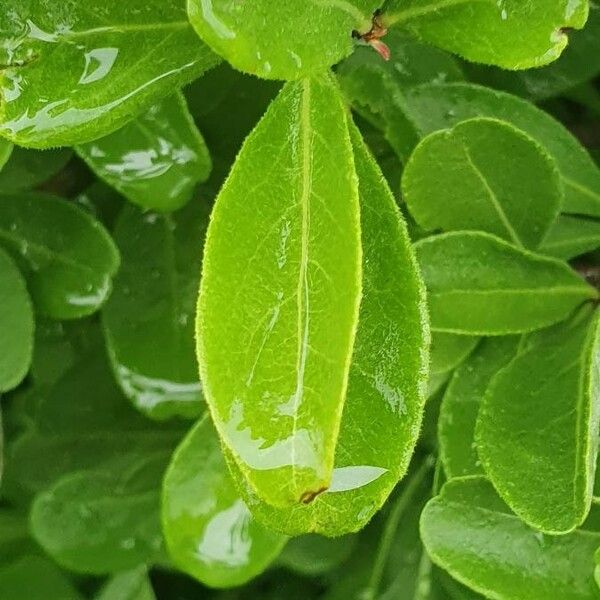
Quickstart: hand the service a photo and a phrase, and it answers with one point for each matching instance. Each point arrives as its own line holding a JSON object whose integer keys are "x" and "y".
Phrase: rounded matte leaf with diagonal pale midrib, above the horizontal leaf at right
{"x": 489, "y": 176}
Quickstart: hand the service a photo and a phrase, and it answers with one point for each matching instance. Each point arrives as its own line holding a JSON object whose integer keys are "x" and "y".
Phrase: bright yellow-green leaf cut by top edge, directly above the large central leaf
{"x": 283, "y": 40}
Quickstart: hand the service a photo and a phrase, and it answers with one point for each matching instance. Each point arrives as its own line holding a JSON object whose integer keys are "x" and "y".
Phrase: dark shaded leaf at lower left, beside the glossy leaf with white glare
{"x": 102, "y": 521}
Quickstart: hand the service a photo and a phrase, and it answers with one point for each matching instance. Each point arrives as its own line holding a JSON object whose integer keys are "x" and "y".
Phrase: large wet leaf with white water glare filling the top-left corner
{"x": 75, "y": 72}
